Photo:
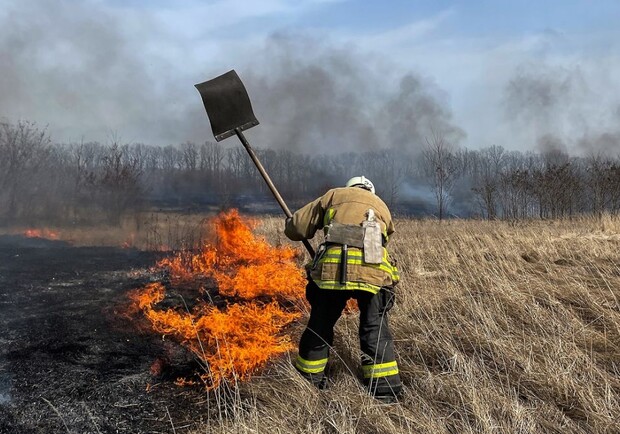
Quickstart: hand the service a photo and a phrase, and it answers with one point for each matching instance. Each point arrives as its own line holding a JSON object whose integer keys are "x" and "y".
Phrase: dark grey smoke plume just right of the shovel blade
{"x": 316, "y": 97}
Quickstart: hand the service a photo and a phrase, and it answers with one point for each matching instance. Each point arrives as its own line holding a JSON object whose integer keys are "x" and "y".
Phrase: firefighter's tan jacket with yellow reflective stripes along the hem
{"x": 349, "y": 206}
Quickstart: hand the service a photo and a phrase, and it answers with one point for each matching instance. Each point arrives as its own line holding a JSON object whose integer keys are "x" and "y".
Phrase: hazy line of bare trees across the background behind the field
{"x": 91, "y": 182}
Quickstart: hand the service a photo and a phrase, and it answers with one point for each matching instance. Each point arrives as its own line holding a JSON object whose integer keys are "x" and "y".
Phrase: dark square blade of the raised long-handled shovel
{"x": 228, "y": 105}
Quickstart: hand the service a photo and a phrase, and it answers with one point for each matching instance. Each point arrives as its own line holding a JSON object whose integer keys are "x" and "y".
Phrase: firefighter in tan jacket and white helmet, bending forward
{"x": 352, "y": 263}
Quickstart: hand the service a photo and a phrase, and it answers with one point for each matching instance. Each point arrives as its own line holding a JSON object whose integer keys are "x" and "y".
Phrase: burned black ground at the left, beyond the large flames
{"x": 69, "y": 362}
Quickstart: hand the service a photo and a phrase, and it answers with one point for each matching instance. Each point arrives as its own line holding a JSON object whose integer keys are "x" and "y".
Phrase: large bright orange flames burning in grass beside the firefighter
{"x": 235, "y": 341}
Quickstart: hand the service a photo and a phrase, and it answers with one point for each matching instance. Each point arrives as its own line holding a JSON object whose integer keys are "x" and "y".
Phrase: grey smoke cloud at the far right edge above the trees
{"x": 563, "y": 109}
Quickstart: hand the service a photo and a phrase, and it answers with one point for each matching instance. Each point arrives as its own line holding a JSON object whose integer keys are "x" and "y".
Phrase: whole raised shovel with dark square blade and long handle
{"x": 230, "y": 112}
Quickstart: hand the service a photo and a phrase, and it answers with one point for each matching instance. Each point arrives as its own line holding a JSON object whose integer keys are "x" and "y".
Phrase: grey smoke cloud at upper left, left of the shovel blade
{"x": 83, "y": 69}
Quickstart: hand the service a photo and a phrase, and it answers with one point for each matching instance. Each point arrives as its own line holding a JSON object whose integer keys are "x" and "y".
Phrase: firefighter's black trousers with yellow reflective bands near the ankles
{"x": 379, "y": 367}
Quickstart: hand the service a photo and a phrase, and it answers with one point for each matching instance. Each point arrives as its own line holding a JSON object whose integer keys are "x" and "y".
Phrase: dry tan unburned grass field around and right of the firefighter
{"x": 499, "y": 327}
